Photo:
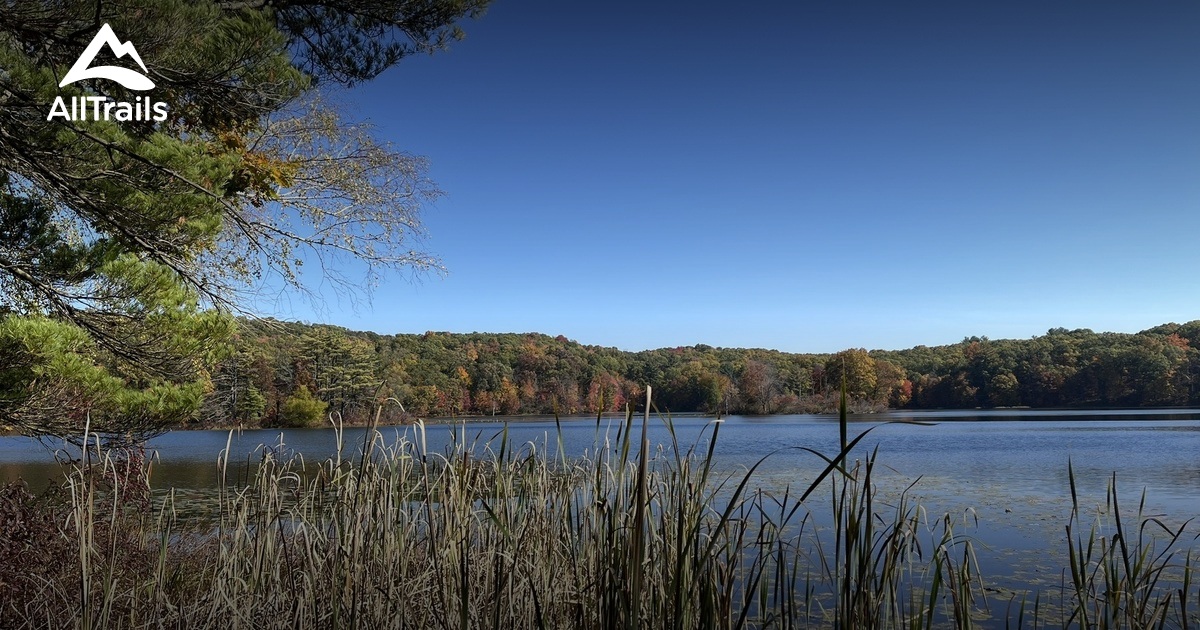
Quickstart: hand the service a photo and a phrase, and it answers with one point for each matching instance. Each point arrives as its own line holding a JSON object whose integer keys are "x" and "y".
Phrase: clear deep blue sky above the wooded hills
{"x": 806, "y": 177}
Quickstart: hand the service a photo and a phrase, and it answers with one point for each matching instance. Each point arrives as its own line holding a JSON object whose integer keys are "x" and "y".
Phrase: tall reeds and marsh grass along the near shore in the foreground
{"x": 501, "y": 535}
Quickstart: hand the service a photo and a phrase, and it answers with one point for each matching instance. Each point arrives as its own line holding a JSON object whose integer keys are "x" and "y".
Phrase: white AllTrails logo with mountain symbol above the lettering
{"x": 143, "y": 109}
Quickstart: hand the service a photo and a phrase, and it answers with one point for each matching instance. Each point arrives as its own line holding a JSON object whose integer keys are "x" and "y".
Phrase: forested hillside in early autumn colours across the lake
{"x": 287, "y": 374}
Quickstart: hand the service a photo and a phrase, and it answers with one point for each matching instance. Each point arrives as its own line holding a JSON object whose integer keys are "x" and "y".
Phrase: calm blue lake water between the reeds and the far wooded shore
{"x": 1001, "y": 473}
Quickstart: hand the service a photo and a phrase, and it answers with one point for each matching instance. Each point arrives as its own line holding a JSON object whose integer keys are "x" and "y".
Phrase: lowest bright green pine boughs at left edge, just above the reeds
{"x": 58, "y": 376}
